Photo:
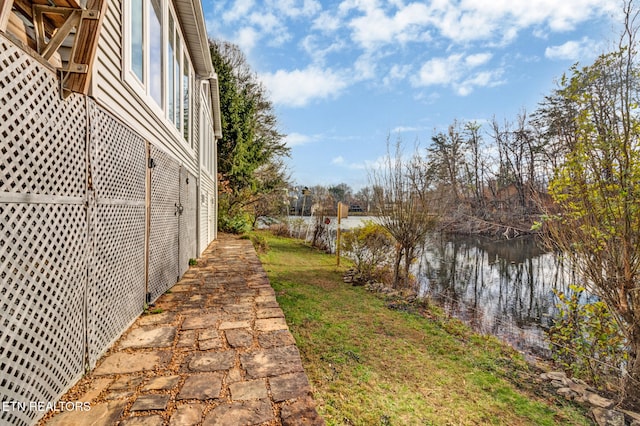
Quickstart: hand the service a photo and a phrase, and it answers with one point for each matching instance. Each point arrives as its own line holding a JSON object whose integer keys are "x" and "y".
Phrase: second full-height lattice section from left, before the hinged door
{"x": 117, "y": 270}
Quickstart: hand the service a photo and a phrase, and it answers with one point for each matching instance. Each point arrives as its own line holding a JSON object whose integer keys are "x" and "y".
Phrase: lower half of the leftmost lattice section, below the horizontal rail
{"x": 42, "y": 276}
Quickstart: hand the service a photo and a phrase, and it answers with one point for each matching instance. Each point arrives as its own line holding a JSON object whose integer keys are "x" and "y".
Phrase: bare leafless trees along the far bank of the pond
{"x": 490, "y": 179}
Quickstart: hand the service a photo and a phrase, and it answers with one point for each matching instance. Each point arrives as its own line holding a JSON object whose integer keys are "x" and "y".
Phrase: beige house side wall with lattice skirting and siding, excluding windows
{"x": 102, "y": 205}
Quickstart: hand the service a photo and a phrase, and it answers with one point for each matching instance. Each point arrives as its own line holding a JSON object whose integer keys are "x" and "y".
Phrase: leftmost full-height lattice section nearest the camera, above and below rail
{"x": 43, "y": 235}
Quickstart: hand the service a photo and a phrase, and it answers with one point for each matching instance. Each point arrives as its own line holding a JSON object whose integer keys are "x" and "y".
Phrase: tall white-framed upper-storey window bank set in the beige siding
{"x": 157, "y": 63}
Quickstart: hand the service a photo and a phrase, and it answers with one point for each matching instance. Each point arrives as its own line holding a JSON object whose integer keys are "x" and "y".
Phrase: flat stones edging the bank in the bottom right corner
{"x": 601, "y": 408}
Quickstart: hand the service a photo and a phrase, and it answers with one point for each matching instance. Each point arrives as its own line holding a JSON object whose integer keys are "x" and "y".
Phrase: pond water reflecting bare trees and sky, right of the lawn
{"x": 503, "y": 288}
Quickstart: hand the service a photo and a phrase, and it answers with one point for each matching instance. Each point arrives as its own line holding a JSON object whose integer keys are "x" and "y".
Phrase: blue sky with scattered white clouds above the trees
{"x": 344, "y": 75}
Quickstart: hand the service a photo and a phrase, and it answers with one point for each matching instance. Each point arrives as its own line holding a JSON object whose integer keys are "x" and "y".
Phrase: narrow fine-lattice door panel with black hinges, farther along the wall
{"x": 163, "y": 232}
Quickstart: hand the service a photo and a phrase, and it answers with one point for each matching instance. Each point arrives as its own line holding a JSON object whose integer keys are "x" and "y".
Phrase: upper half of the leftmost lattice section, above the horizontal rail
{"x": 42, "y": 137}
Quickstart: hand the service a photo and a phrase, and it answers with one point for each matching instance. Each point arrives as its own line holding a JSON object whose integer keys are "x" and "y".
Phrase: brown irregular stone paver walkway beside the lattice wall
{"x": 220, "y": 353}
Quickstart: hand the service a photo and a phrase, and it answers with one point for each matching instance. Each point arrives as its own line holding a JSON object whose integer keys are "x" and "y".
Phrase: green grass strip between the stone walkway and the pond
{"x": 370, "y": 365}
